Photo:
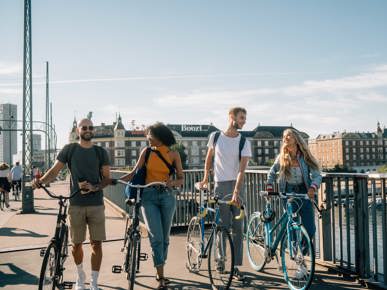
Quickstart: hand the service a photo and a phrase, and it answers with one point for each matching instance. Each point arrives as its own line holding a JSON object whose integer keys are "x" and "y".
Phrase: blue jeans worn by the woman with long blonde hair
{"x": 306, "y": 212}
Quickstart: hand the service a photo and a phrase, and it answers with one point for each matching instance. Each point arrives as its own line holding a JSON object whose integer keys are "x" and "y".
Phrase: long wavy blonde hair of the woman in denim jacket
{"x": 302, "y": 146}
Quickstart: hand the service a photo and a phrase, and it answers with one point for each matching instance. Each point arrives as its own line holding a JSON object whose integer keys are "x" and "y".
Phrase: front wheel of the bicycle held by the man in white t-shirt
{"x": 221, "y": 259}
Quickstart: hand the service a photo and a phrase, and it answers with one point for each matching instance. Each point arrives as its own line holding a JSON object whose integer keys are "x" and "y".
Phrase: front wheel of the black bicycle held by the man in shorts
{"x": 47, "y": 280}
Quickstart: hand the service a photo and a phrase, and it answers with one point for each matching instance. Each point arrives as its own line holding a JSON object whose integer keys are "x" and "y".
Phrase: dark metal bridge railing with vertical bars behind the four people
{"x": 352, "y": 233}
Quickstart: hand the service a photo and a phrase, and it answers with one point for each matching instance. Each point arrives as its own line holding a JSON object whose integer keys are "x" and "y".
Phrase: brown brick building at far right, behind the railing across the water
{"x": 361, "y": 151}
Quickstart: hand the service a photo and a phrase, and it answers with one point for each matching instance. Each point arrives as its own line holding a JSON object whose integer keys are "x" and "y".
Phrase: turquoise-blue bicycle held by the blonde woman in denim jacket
{"x": 297, "y": 251}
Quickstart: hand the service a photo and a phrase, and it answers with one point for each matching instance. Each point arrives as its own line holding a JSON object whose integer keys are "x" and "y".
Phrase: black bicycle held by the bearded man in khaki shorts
{"x": 54, "y": 256}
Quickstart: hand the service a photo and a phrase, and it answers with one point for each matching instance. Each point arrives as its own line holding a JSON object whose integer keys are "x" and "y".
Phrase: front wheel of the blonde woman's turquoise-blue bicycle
{"x": 298, "y": 258}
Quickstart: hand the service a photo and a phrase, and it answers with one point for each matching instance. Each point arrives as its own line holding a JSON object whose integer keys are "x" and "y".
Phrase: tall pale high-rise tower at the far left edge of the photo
{"x": 8, "y": 139}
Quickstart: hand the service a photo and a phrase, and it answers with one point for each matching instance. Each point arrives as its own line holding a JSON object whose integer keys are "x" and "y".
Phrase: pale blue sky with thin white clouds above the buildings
{"x": 321, "y": 65}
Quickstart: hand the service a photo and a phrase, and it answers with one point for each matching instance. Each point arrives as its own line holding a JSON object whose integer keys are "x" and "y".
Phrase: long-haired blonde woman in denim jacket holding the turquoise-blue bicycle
{"x": 298, "y": 172}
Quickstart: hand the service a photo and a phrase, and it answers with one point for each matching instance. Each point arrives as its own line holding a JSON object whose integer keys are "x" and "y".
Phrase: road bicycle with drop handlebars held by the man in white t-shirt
{"x": 216, "y": 245}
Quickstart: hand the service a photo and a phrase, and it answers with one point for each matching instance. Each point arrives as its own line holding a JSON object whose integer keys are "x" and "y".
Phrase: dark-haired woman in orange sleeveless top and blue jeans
{"x": 158, "y": 202}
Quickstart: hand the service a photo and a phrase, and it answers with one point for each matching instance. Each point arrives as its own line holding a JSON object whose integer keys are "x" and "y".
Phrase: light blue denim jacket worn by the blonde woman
{"x": 312, "y": 177}
